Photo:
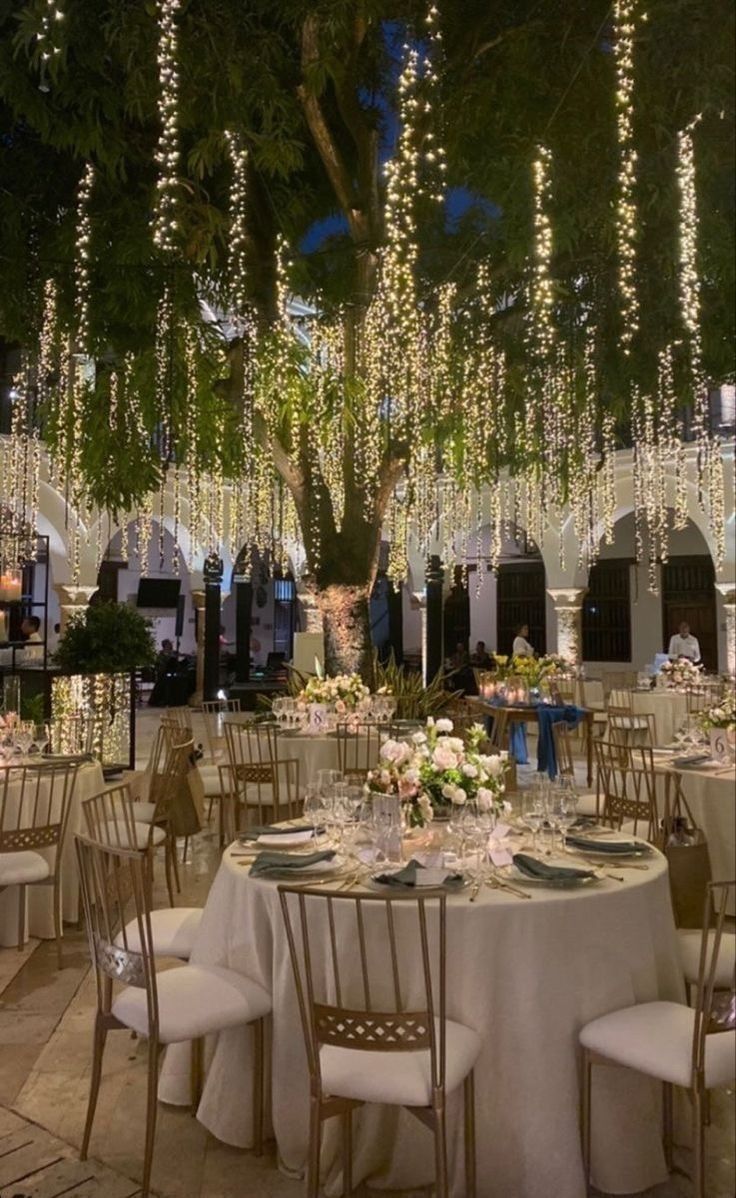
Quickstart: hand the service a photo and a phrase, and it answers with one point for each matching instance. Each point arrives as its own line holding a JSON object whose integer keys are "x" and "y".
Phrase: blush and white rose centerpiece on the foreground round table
{"x": 433, "y": 772}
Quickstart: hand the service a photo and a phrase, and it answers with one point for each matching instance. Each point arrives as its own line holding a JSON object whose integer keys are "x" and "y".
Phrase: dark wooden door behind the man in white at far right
{"x": 689, "y": 594}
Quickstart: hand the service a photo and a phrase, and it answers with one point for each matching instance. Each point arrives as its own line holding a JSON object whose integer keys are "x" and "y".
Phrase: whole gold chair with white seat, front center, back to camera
{"x": 353, "y": 983}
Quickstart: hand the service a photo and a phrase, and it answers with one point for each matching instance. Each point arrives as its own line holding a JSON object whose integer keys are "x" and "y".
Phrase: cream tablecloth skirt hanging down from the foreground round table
{"x": 527, "y": 975}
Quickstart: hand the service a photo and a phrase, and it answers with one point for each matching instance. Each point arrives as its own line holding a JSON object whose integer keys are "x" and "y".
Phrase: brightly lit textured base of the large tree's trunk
{"x": 347, "y": 627}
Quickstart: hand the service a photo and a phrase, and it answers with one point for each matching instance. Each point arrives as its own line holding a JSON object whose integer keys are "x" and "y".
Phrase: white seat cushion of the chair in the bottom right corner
{"x": 657, "y": 1039}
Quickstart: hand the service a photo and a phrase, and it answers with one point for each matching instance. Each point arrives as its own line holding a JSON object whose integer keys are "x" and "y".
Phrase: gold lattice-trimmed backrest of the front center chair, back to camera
{"x": 370, "y": 973}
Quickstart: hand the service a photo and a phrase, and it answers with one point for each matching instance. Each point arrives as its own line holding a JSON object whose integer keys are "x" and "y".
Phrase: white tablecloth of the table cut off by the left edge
{"x": 41, "y": 899}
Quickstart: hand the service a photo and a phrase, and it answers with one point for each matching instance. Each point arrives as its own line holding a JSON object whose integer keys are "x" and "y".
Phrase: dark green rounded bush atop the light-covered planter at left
{"x": 108, "y": 638}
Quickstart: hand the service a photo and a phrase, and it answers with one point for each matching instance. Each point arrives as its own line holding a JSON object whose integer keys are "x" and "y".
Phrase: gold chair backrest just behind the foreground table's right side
{"x": 626, "y": 784}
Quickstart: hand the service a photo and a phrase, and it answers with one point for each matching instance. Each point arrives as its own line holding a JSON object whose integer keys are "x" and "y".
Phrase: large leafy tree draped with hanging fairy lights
{"x": 427, "y": 354}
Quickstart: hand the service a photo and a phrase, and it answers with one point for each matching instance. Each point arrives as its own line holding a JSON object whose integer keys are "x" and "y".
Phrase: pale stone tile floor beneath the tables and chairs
{"x": 46, "y": 1052}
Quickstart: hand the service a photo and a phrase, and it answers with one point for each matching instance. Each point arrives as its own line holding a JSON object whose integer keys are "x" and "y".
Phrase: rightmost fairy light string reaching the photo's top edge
{"x": 626, "y": 208}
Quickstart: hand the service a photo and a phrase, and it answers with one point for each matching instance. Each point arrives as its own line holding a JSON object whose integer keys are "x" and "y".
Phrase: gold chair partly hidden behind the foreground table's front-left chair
{"x": 110, "y": 821}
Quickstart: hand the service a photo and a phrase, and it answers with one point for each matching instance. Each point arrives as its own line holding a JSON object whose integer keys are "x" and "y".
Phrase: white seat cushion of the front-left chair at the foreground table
{"x": 194, "y": 1001}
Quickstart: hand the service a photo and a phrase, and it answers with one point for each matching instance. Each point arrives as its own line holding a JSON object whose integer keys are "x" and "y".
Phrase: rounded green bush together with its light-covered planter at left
{"x": 93, "y": 697}
